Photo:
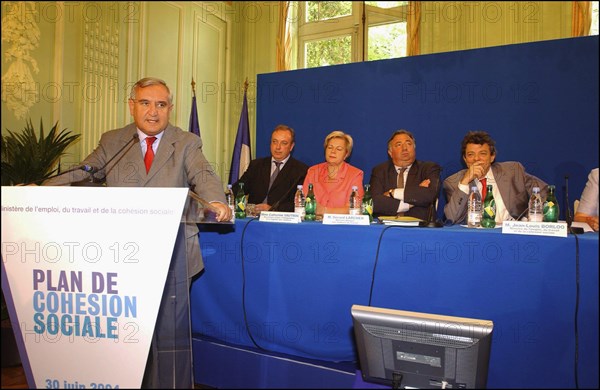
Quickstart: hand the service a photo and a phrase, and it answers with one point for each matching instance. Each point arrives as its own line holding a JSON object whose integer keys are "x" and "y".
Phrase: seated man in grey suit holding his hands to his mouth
{"x": 511, "y": 185}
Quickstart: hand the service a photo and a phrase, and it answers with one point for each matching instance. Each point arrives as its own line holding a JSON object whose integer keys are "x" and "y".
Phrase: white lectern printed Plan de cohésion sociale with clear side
{"x": 84, "y": 271}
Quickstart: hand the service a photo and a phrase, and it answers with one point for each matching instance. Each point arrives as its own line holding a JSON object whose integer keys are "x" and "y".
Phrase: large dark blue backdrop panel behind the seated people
{"x": 538, "y": 100}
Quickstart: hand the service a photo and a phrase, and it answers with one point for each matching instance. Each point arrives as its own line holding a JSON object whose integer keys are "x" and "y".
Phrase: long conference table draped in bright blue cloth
{"x": 286, "y": 289}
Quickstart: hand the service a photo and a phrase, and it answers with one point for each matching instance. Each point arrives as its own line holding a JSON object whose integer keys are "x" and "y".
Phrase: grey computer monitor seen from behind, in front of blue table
{"x": 405, "y": 349}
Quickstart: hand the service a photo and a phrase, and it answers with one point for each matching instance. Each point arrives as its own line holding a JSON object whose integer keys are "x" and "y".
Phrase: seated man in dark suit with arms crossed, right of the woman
{"x": 403, "y": 185}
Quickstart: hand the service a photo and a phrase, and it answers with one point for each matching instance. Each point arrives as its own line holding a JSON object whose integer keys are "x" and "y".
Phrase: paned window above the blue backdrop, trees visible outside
{"x": 339, "y": 32}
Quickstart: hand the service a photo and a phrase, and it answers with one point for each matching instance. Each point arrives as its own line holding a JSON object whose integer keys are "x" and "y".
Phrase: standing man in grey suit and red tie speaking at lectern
{"x": 165, "y": 156}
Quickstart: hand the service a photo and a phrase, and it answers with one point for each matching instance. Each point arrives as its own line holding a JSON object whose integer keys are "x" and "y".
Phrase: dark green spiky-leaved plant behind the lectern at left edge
{"x": 27, "y": 158}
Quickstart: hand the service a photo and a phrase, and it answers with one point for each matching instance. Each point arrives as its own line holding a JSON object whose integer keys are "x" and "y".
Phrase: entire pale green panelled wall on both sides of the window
{"x": 220, "y": 44}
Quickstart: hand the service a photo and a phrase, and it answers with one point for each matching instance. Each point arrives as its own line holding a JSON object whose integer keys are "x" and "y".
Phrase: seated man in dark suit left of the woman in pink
{"x": 287, "y": 173}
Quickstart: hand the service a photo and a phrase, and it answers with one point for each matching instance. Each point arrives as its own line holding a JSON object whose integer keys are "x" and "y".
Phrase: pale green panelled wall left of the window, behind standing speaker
{"x": 90, "y": 53}
